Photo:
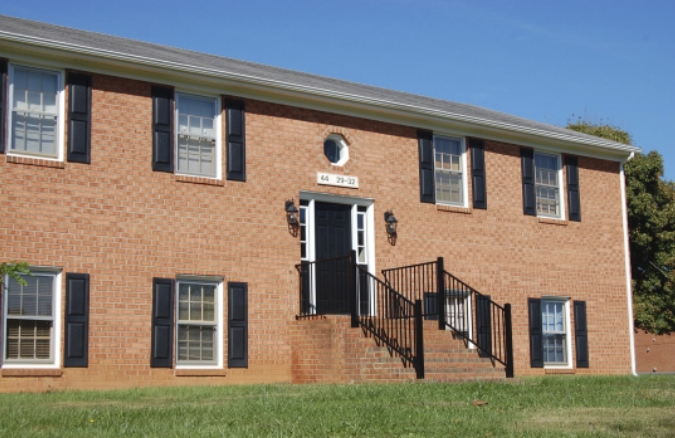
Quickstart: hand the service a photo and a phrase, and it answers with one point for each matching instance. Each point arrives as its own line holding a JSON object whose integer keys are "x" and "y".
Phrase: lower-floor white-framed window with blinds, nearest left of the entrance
{"x": 199, "y": 322}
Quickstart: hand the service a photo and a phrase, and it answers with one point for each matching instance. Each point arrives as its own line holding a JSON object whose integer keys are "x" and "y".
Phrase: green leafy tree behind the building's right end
{"x": 651, "y": 223}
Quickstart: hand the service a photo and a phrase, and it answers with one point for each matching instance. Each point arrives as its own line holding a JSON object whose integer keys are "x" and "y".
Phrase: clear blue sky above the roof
{"x": 610, "y": 61}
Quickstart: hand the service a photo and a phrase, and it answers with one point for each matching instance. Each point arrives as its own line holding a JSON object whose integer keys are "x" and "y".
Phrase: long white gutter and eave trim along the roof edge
{"x": 270, "y": 83}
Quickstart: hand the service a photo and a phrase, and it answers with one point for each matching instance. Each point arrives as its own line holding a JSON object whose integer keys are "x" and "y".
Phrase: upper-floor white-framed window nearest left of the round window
{"x": 198, "y": 136}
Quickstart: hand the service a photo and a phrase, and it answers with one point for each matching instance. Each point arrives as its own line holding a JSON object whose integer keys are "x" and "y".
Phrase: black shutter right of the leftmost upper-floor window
{"x": 79, "y": 118}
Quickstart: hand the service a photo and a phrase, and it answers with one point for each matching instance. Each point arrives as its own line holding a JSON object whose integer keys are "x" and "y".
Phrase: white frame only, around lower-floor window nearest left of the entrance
{"x": 220, "y": 327}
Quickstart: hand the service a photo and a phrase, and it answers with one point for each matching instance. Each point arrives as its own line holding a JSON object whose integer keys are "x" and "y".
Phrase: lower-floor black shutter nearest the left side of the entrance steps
{"x": 237, "y": 341}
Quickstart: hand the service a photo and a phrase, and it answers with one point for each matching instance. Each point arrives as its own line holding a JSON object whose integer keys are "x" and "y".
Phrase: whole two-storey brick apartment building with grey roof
{"x": 192, "y": 219}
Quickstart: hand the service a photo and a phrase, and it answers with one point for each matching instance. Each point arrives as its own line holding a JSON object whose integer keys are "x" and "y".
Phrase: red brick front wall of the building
{"x": 124, "y": 224}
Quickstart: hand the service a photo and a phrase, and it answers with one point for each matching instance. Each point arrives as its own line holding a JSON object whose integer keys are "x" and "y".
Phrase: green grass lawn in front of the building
{"x": 554, "y": 406}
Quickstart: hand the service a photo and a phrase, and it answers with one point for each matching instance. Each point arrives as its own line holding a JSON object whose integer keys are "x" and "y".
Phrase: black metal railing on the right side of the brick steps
{"x": 473, "y": 317}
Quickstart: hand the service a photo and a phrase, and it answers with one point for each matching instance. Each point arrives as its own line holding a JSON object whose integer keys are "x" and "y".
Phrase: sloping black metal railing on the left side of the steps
{"x": 394, "y": 320}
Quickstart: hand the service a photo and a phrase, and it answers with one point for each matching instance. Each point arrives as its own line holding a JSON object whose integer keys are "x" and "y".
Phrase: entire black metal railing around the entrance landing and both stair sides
{"x": 393, "y": 310}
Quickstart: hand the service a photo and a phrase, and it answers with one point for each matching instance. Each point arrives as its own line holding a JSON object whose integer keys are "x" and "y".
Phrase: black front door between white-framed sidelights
{"x": 333, "y": 239}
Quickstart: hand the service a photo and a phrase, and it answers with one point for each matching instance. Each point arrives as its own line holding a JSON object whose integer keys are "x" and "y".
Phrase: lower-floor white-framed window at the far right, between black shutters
{"x": 555, "y": 316}
